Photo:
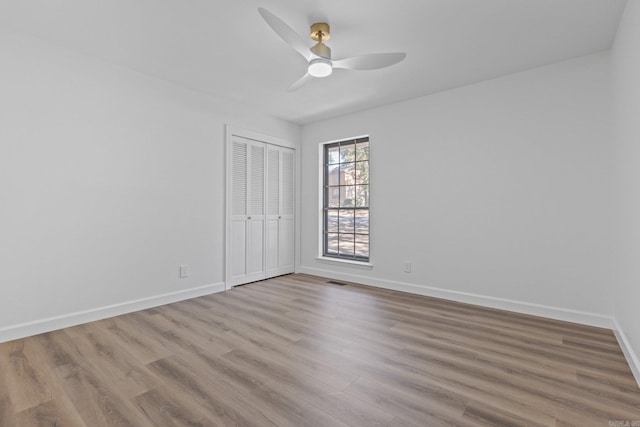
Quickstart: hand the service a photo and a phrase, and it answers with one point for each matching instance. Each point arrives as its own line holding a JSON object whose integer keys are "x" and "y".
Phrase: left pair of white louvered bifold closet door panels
{"x": 246, "y": 238}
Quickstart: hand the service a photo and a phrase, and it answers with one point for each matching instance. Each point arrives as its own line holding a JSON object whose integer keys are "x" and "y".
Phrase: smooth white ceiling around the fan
{"x": 224, "y": 48}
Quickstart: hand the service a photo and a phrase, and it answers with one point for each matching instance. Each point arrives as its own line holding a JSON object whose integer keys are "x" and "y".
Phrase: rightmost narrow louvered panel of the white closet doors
{"x": 286, "y": 218}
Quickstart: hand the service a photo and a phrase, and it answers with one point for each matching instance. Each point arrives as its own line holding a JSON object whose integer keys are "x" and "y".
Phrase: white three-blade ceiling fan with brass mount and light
{"x": 319, "y": 56}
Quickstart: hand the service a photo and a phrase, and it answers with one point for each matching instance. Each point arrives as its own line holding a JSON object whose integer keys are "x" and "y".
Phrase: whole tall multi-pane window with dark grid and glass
{"x": 346, "y": 200}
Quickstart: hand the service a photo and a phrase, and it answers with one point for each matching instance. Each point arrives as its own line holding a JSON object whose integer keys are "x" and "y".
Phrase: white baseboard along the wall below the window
{"x": 557, "y": 313}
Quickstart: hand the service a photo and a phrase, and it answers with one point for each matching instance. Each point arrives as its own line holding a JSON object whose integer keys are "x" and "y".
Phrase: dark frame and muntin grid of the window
{"x": 359, "y": 205}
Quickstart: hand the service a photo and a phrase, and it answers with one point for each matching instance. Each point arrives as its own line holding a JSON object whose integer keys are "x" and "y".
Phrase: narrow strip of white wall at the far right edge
{"x": 626, "y": 84}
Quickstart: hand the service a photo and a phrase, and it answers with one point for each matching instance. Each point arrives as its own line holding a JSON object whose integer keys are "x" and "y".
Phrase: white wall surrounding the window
{"x": 498, "y": 193}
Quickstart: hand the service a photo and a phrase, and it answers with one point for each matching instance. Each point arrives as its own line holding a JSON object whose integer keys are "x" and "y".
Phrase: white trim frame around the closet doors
{"x": 230, "y": 132}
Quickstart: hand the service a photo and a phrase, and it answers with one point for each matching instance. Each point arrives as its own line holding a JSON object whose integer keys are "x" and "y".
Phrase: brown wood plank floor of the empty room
{"x": 297, "y": 351}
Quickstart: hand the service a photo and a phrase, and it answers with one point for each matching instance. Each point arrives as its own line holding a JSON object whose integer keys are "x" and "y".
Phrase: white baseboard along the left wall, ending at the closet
{"x": 35, "y": 327}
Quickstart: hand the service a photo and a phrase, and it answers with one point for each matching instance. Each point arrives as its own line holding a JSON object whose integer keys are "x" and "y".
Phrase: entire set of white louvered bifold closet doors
{"x": 261, "y": 210}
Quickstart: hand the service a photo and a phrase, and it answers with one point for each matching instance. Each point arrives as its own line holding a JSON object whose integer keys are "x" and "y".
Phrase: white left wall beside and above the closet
{"x": 109, "y": 180}
